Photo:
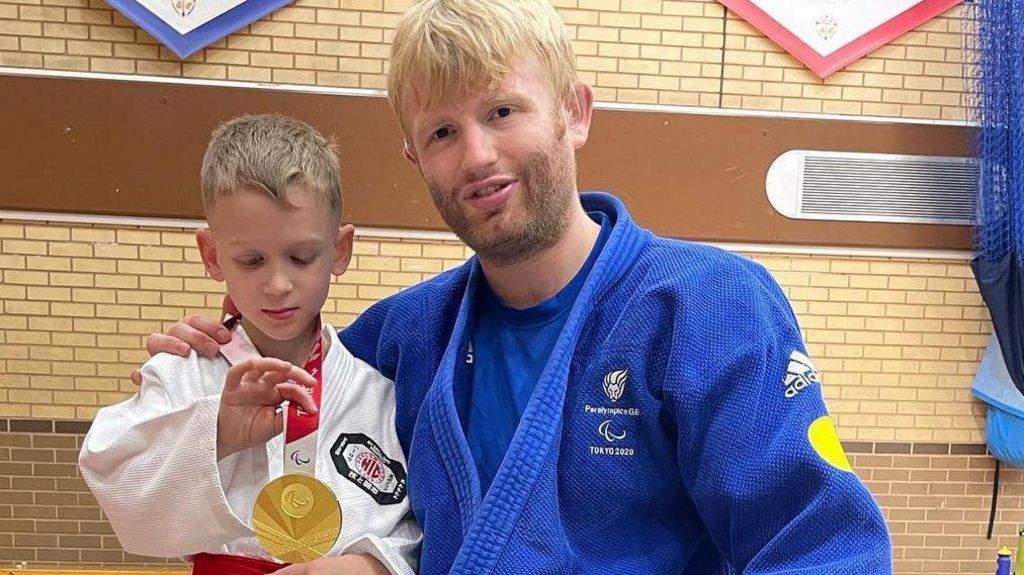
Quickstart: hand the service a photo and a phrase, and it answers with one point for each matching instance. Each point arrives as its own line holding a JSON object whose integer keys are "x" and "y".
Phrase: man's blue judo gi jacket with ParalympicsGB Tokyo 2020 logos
{"x": 678, "y": 427}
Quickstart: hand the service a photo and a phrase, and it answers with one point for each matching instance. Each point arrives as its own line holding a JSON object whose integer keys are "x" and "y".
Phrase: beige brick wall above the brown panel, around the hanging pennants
{"x": 691, "y": 53}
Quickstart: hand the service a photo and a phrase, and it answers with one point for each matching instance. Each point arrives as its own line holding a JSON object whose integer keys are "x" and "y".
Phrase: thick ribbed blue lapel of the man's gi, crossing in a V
{"x": 487, "y": 524}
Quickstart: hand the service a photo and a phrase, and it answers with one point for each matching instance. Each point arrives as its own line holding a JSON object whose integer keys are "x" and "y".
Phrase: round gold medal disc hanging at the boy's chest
{"x": 297, "y": 518}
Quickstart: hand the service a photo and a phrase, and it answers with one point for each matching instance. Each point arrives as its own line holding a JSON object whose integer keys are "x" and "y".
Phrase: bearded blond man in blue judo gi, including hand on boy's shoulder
{"x": 582, "y": 396}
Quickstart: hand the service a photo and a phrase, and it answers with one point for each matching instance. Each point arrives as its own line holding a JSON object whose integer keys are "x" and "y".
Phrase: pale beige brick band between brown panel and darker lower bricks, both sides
{"x": 898, "y": 340}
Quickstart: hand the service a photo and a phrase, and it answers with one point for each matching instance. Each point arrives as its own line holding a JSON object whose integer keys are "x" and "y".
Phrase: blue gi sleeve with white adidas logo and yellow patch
{"x": 756, "y": 448}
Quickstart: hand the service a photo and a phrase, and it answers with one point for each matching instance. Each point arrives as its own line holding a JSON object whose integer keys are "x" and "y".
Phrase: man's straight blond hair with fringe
{"x": 453, "y": 48}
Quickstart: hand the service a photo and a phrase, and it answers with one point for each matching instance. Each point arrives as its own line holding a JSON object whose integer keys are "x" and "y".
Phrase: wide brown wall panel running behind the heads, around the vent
{"x": 98, "y": 147}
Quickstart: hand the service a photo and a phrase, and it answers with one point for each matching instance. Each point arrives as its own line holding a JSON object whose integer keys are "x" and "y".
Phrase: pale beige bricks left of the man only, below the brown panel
{"x": 78, "y": 303}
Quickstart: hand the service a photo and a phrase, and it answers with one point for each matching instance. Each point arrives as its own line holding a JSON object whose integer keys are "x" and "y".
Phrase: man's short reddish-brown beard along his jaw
{"x": 529, "y": 225}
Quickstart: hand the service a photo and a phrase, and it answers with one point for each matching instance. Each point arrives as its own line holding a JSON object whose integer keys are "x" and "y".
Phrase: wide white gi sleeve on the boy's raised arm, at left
{"x": 151, "y": 462}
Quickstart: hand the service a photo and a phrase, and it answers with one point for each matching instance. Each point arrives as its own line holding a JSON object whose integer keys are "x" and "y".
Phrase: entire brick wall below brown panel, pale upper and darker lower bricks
{"x": 898, "y": 341}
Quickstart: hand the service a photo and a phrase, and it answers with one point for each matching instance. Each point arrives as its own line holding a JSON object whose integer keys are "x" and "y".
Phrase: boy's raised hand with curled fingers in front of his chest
{"x": 249, "y": 403}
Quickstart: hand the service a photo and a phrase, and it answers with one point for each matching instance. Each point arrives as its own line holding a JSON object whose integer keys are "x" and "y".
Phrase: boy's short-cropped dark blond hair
{"x": 271, "y": 154}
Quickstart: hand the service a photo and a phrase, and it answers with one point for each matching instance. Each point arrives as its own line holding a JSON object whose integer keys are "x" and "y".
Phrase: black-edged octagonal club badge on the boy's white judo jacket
{"x": 361, "y": 461}
